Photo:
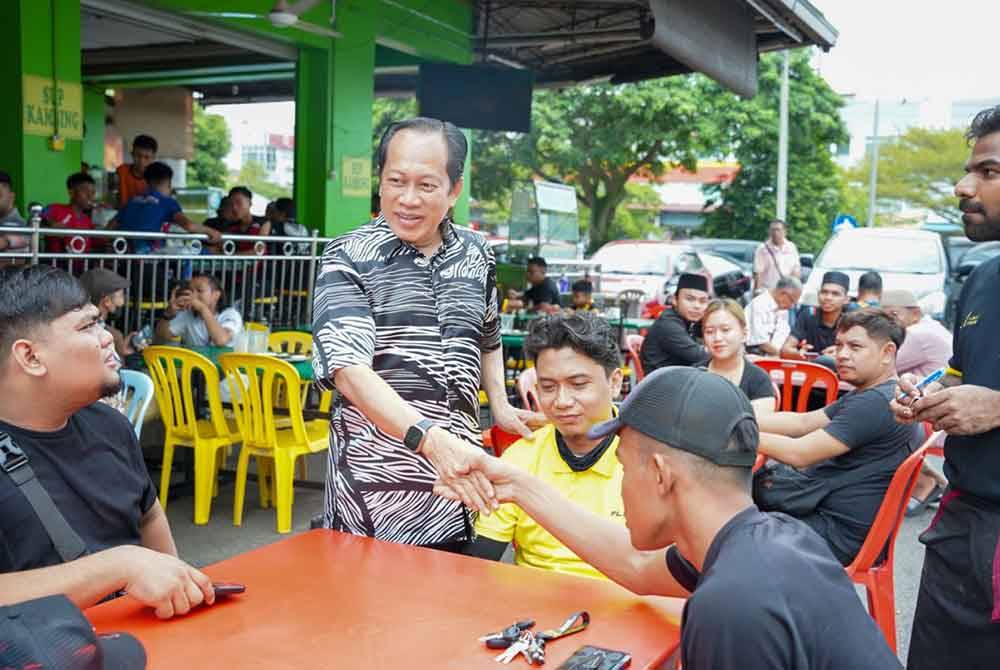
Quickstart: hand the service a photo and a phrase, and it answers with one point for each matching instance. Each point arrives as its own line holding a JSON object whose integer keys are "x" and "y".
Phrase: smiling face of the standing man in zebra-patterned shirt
{"x": 414, "y": 191}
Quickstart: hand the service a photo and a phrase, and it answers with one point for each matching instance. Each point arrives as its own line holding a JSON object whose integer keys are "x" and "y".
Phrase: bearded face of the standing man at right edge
{"x": 979, "y": 190}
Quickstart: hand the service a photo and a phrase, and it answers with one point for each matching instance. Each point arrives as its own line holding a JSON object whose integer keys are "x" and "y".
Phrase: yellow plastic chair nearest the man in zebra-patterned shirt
{"x": 253, "y": 380}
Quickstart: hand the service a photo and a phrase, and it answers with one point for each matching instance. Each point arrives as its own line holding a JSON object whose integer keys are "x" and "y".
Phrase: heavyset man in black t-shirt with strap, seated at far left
{"x": 80, "y": 514}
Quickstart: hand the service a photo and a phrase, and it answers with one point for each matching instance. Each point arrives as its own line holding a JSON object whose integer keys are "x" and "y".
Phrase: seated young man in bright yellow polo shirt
{"x": 577, "y": 360}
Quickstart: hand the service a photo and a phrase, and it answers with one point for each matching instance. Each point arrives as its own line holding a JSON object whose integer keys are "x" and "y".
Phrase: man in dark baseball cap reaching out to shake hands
{"x": 765, "y": 590}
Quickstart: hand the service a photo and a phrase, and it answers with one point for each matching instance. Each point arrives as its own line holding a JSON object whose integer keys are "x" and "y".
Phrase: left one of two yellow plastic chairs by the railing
{"x": 172, "y": 370}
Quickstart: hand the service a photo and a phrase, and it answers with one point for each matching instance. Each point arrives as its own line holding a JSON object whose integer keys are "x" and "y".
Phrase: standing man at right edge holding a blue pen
{"x": 957, "y": 620}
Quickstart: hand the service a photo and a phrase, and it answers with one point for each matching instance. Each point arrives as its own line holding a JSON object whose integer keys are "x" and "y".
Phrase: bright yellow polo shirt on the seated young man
{"x": 597, "y": 489}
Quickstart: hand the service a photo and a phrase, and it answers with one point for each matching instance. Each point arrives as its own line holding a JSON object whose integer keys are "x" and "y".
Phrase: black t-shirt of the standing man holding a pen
{"x": 972, "y": 462}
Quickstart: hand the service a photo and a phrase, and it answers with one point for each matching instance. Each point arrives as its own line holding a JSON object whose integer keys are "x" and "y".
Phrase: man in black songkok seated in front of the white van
{"x": 815, "y": 329}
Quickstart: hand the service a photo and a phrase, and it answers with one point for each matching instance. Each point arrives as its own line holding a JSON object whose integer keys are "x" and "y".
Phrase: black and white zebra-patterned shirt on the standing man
{"x": 422, "y": 325}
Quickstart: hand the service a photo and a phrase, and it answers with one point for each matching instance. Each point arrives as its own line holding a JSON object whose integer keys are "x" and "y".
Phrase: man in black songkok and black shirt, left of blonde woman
{"x": 673, "y": 339}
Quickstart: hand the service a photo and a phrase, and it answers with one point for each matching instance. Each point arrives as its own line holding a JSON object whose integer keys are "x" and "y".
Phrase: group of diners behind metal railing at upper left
{"x": 146, "y": 204}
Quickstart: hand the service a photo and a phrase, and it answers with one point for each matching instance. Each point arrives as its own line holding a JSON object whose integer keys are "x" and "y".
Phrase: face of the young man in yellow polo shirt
{"x": 574, "y": 391}
